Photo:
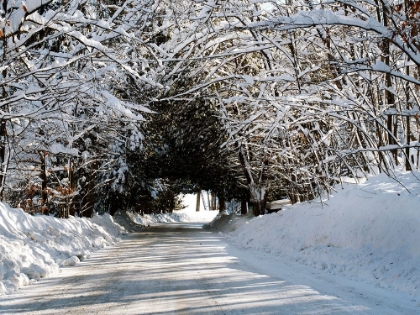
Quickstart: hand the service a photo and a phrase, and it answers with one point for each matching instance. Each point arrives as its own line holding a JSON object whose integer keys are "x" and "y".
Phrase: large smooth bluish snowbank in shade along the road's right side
{"x": 368, "y": 232}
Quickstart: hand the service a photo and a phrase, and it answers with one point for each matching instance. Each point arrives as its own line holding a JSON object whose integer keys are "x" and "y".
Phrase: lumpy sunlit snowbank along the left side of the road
{"x": 34, "y": 247}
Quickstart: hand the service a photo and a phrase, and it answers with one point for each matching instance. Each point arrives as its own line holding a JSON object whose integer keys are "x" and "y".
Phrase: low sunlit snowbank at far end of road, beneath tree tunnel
{"x": 175, "y": 217}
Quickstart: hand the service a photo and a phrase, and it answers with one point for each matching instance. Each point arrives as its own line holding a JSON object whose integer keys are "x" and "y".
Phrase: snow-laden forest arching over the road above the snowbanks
{"x": 110, "y": 105}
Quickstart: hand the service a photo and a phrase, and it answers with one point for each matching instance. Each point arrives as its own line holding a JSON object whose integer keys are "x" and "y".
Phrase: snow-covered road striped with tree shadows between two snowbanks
{"x": 182, "y": 269}
